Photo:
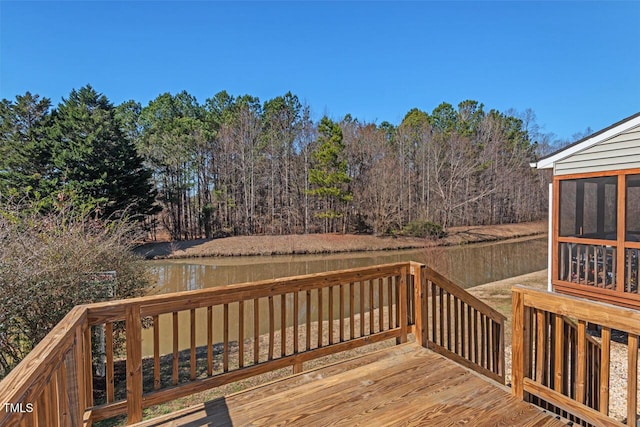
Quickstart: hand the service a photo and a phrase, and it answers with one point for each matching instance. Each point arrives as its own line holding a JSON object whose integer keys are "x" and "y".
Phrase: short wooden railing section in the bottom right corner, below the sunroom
{"x": 559, "y": 366}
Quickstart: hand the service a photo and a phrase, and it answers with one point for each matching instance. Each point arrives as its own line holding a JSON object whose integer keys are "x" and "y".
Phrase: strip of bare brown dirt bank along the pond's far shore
{"x": 330, "y": 243}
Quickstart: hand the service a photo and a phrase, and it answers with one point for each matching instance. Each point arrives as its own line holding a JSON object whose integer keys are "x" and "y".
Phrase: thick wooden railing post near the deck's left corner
{"x": 134, "y": 364}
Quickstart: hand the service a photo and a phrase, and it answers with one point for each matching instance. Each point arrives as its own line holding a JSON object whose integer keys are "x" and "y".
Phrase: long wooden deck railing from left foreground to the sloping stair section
{"x": 118, "y": 357}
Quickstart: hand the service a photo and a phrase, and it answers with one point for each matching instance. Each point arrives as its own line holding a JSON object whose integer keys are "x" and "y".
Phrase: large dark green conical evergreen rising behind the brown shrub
{"x": 95, "y": 164}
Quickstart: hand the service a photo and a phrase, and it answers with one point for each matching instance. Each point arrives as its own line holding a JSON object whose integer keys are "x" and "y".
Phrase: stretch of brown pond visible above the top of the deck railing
{"x": 467, "y": 265}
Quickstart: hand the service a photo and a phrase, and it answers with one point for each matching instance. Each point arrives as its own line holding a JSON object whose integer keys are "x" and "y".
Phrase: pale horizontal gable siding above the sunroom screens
{"x": 619, "y": 152}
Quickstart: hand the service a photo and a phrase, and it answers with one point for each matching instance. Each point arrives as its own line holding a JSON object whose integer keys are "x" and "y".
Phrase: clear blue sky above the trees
{"x": 575, "y": 64}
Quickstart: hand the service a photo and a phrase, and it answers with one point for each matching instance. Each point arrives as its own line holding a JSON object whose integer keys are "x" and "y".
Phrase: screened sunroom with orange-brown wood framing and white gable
{"x": 595, "y": 215}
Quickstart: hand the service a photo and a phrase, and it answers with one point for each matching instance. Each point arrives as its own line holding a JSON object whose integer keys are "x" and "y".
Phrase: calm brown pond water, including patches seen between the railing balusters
{"x": 468, "y": 265}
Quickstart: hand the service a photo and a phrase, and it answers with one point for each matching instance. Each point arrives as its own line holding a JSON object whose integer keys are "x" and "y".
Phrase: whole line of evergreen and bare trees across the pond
{"x": 236, "y": 166}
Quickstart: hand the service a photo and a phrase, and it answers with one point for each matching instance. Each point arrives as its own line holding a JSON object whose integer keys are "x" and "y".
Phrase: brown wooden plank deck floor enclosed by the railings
{"x": 401, "y": 385}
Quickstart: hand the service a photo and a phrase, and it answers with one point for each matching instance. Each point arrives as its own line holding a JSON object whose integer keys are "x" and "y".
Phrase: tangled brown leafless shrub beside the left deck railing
{"x": 49, "y": 263}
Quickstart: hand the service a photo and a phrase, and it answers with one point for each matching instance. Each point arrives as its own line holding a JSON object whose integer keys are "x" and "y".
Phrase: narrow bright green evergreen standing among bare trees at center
{"x": 329, "y": 176}
